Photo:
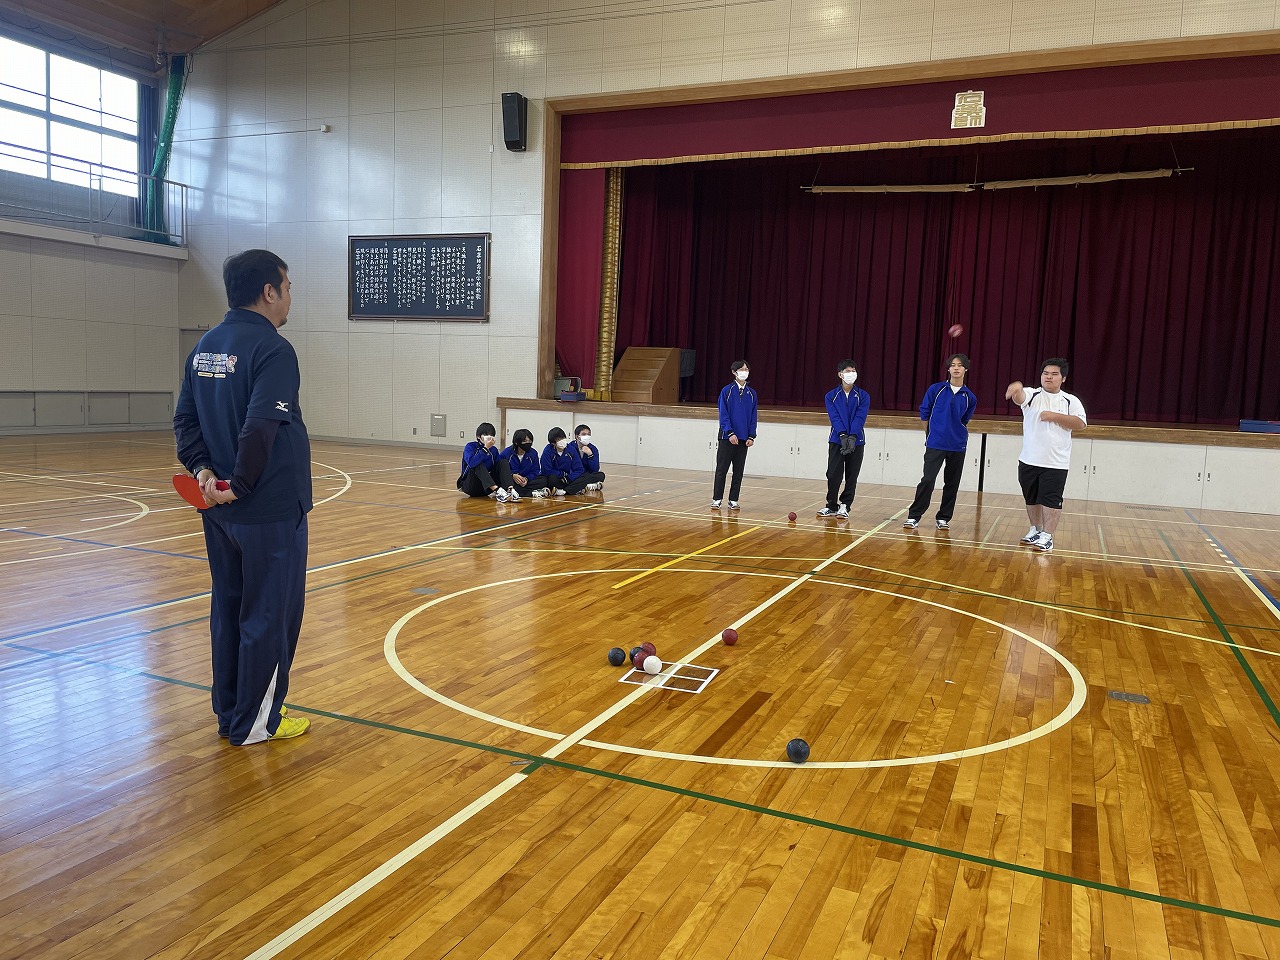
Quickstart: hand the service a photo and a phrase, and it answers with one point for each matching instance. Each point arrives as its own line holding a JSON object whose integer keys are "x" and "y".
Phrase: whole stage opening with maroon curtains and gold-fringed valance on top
{"x": 1163, "y": 294}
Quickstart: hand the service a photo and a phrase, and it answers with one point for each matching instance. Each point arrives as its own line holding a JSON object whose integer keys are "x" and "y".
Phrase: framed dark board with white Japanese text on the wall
{"x": 426, "y": 277}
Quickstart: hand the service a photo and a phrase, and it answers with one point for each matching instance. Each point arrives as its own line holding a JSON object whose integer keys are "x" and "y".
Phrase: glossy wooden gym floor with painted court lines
{"x": 478, "y": 781}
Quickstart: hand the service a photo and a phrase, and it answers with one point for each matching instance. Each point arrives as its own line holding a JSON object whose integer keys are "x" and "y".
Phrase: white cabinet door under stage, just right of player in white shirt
{"x": 1164, "y": 474}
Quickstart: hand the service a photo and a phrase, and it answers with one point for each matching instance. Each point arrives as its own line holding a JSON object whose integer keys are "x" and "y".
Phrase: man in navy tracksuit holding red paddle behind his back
{"x": 239, "y": 419}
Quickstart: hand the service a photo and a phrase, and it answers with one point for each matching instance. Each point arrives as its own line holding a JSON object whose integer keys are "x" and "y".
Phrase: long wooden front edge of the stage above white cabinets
{"x": 1012, "y": 427}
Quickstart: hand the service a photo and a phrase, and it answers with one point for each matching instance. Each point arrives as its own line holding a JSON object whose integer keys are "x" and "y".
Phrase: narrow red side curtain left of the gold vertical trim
{"x": 578, "y": 285}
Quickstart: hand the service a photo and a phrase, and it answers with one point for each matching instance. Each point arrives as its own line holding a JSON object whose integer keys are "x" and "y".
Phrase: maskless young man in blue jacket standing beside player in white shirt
{"x": 947, "y": 412}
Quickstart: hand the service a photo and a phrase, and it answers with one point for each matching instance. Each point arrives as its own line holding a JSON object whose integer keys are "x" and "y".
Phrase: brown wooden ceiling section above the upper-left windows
{"x": 134, "y": 31}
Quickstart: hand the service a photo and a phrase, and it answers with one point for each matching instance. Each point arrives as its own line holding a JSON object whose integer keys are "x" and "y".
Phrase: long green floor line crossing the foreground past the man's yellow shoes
{"x": 534, "y": 762}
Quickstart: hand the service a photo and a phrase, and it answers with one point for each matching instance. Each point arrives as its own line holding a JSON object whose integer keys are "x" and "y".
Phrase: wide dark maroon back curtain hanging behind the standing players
{"x": 1164, "y": 295}
